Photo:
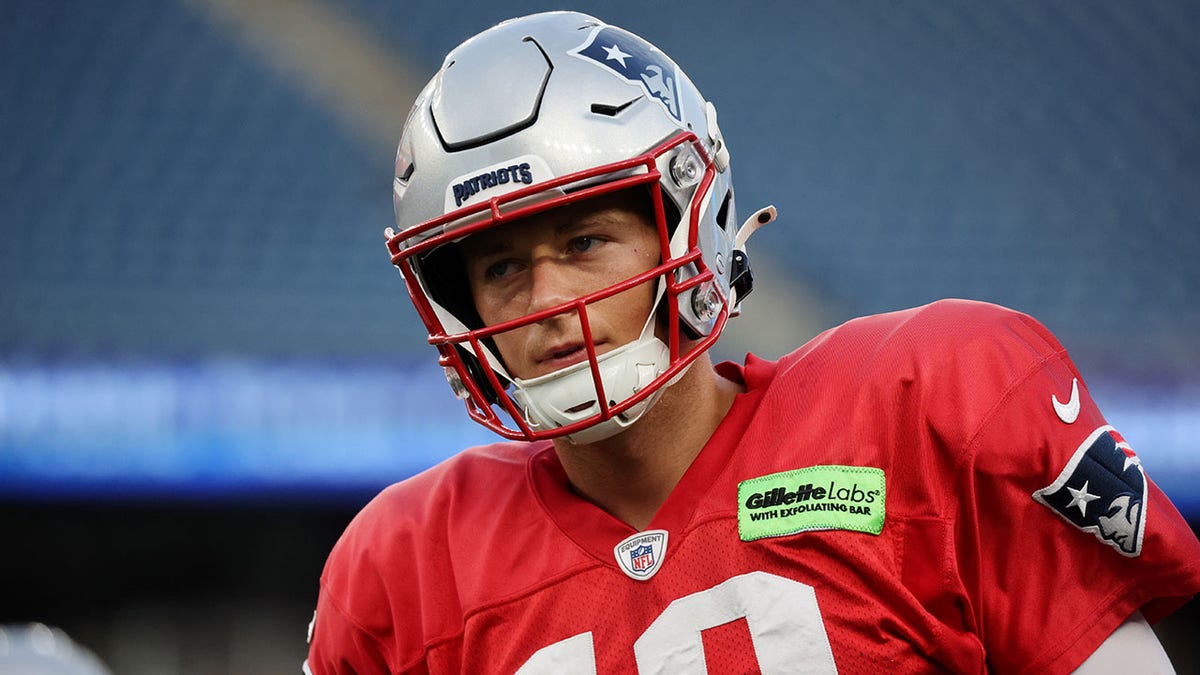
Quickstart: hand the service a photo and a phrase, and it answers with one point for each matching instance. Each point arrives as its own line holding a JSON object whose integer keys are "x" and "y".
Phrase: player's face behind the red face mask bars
{"x": 555, "y": 258}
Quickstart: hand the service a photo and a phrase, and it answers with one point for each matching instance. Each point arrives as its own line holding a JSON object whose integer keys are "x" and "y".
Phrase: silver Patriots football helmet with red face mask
{"x": 536, "y": 114}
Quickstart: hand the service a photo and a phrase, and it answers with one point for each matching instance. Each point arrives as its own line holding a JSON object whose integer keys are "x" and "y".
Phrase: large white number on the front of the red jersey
{"x": 783, "y": 616}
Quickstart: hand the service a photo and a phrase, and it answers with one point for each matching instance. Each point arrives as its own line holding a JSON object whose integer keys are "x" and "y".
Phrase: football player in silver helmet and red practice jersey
{"x": 927, "y": 491}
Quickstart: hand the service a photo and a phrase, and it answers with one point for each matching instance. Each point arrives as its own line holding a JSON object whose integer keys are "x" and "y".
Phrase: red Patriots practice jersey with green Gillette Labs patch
{"x": 928, "y": 491}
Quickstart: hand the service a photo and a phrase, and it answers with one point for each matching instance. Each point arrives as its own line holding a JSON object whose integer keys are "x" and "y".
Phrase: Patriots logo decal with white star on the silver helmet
{"x": 637, "y": 62}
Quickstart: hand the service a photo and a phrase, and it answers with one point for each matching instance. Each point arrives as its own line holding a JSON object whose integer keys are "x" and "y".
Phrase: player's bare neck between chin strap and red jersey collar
{"x": 633, "y": 474}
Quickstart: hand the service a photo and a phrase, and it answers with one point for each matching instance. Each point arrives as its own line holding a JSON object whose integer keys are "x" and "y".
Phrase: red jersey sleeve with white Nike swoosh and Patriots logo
{"x": 1061, "y": 533}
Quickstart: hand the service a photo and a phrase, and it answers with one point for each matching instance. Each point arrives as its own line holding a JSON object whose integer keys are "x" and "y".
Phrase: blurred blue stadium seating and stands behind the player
{"x": 207, "y": 365}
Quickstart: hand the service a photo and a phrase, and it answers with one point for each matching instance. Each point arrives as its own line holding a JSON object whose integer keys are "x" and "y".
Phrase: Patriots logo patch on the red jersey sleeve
{"x": 1102, "y": 491}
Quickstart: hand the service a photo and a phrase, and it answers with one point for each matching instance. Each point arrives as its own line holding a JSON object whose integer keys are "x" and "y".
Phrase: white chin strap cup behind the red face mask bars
{"x": 569, "y": 396}
